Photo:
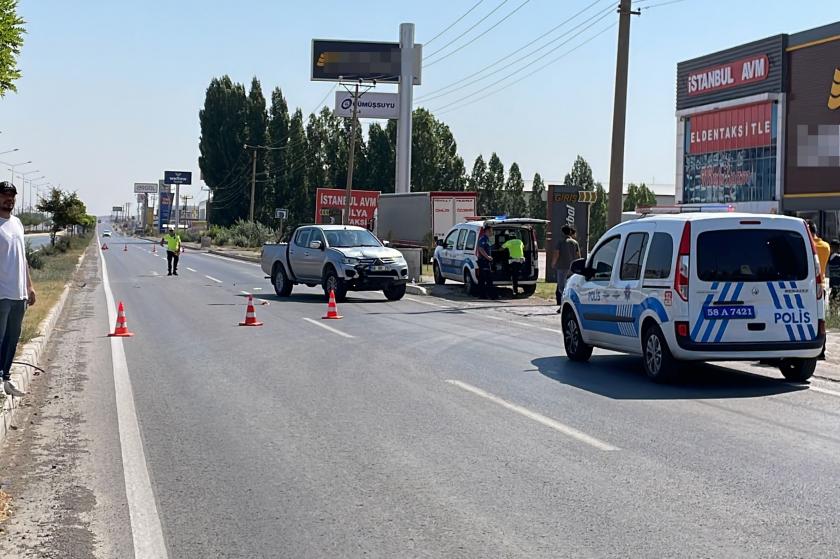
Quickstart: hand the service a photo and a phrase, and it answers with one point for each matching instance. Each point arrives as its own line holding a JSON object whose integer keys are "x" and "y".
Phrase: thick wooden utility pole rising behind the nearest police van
{"x": 619, "y": 113}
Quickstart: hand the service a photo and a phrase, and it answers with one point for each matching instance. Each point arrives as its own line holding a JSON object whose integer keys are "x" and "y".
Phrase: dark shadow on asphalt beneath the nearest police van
{"x": 622, "y": 377}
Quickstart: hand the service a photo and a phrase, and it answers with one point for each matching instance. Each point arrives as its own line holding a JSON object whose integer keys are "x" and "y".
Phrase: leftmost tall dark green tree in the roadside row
{"x": 223, "y": 163}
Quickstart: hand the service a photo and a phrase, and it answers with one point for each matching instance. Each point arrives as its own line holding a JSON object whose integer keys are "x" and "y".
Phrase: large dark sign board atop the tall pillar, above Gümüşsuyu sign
{"x": 335, "y": 61}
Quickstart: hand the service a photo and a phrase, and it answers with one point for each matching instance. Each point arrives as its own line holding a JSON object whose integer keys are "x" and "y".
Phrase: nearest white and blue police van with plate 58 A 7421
{"x": 700, "y": 287}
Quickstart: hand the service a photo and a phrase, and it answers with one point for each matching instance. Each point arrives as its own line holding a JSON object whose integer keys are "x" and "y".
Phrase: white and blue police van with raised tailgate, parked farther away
{"x": 455, "y": 257}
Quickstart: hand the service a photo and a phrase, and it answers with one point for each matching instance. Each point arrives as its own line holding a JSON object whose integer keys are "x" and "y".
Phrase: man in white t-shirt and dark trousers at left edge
{"x": 15, "y": 284}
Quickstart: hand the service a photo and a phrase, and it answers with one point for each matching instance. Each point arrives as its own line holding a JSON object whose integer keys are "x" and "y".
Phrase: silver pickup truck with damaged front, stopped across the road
{"x": 339, "y": 258}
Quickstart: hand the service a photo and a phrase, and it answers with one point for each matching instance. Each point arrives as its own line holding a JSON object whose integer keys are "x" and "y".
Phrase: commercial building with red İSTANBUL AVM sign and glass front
{"x": 758, "y": 127}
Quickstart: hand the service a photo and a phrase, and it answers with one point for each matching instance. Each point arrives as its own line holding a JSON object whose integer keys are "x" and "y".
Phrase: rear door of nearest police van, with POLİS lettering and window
{"x": 752, "y": 281}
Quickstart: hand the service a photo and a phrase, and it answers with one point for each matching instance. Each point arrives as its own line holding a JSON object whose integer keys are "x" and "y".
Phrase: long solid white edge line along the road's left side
{"x": 146, "y": 530}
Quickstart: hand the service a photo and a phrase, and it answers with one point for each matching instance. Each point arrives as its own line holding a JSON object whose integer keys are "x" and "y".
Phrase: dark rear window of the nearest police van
{"x": 757, "y": 255}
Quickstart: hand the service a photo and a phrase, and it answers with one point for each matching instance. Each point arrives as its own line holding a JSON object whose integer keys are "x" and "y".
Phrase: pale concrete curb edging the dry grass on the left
{"x": 32, "y": 352}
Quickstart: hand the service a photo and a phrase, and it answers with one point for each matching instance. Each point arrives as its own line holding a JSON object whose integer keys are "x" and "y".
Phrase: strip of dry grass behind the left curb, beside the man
{"x": 49, "y": 284}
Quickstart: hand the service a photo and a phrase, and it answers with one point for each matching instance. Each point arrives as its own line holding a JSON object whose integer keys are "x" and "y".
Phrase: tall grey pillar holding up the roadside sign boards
{"x": 406, "y": 89}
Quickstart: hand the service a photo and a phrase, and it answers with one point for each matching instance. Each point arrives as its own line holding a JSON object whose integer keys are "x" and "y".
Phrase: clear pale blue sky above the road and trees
{"x": 111, "y": 90}
